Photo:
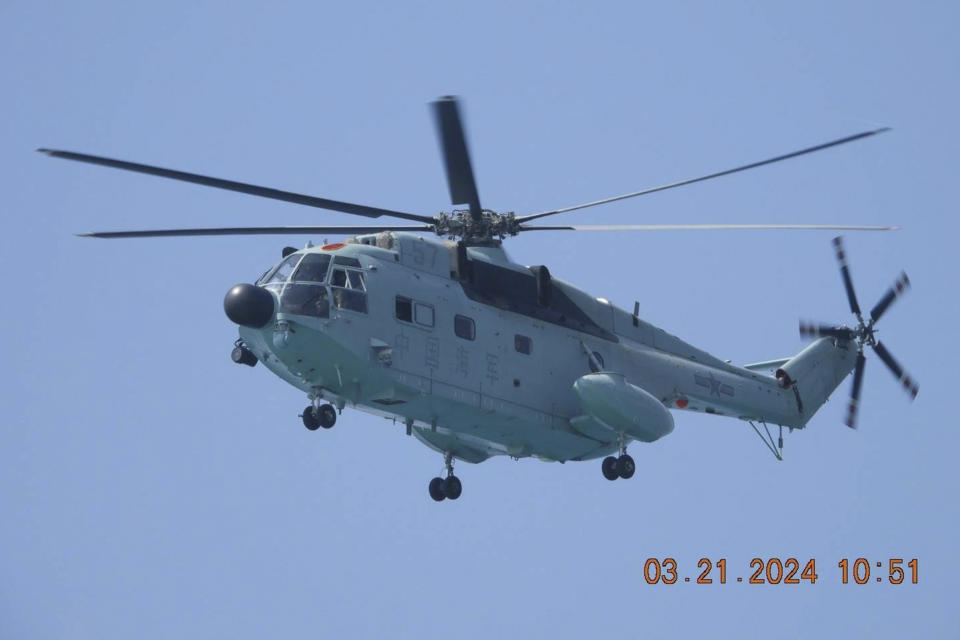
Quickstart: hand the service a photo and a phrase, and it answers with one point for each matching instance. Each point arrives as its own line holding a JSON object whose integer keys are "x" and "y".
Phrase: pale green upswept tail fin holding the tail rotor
{"x": 816, "y": 371}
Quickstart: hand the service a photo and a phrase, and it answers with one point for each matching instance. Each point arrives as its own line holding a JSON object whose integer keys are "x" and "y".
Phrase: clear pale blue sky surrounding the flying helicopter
{"x": 151, "y": 488}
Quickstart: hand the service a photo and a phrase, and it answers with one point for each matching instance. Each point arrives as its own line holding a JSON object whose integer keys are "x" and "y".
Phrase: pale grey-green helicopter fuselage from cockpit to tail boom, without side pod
{"x": 477, "y": 355}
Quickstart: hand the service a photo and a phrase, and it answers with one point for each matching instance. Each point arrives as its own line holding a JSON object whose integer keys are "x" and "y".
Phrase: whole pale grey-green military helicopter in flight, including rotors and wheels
{"x": 480, "y": 356}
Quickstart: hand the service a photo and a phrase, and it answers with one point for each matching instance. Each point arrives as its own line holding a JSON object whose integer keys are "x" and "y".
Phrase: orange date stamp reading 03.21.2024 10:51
{"x": 783, "y": 571}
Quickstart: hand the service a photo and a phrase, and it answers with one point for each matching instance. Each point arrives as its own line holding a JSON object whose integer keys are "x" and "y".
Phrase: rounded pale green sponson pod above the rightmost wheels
{"x": 623, "y": 407}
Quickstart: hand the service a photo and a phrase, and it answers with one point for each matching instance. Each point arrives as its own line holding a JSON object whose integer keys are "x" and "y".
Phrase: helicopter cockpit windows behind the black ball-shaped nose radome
{"x": 307, "y": 283}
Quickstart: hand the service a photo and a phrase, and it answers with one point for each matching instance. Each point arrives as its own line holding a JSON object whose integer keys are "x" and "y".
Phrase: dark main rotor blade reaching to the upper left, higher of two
{"x": 242, "y": 187}
